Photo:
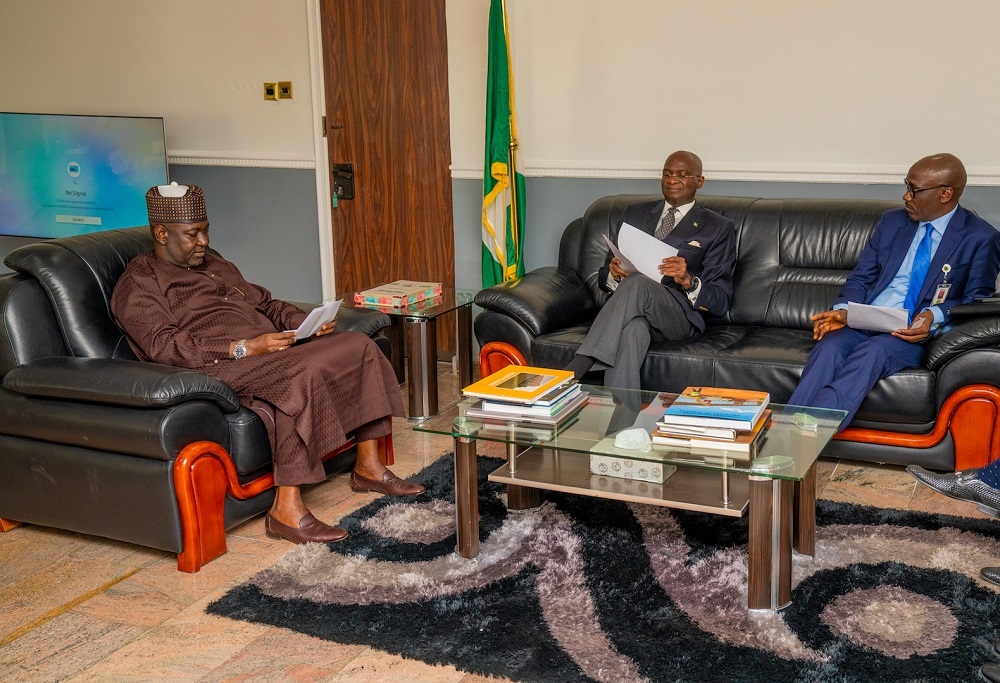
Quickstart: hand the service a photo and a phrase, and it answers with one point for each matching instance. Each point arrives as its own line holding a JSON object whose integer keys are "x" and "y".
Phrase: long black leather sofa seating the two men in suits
{"x": 793, "y": 255}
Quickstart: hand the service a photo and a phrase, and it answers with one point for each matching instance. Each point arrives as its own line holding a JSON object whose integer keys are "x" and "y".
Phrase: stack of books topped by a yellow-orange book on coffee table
{"x": 538, "y": 402}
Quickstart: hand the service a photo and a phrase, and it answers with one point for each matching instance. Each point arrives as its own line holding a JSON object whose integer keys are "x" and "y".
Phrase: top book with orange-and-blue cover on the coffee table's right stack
{"x": 717, "y": 407}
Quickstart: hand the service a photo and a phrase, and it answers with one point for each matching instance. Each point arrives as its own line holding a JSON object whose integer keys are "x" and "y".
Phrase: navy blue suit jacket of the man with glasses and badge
{"x": 970, "y": 245}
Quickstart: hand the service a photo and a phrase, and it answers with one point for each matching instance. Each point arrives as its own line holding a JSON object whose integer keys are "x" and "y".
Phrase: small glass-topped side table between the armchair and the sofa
{"x": 420, "y": 320}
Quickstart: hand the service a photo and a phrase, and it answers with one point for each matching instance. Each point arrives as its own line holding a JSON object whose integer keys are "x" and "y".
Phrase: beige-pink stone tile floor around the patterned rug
{"x": 80, "y": 608}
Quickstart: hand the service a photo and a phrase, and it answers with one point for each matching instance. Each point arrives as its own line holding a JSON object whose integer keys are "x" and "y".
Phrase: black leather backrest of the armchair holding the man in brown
{"x": 78, "y": 275}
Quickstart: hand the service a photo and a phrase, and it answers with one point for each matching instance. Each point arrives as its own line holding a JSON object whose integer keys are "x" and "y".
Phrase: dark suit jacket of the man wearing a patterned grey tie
{"x": 707, "y": 242}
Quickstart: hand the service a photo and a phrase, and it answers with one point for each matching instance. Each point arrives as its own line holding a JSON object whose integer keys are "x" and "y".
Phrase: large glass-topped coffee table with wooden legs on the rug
{"x": 776, "y": 487}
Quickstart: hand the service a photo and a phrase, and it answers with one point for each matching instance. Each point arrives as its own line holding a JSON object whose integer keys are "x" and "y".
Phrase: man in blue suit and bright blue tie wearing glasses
{"x": 926, "y": 258}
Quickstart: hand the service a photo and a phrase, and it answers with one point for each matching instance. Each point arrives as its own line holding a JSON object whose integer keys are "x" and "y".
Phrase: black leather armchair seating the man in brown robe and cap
{"x": 94, "y": 441}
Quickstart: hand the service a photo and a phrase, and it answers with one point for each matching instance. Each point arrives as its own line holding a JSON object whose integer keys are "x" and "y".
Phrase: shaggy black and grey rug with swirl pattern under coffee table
{"x": 583, "y": 589}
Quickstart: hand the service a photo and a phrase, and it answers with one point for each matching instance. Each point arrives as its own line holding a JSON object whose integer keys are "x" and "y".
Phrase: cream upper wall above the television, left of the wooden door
{"x": 200, "y": 64}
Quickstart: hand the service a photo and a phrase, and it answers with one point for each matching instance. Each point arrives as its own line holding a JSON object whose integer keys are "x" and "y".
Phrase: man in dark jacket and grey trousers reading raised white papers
{"x": 698, "y": 280}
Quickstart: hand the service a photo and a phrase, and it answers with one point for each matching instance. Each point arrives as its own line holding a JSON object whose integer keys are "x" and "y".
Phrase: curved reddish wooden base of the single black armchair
{"x": 203, "y": 475}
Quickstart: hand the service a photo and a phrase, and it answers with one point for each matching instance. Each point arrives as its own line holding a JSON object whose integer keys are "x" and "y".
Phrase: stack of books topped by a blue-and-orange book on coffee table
{"x": 714, "y": 419}
